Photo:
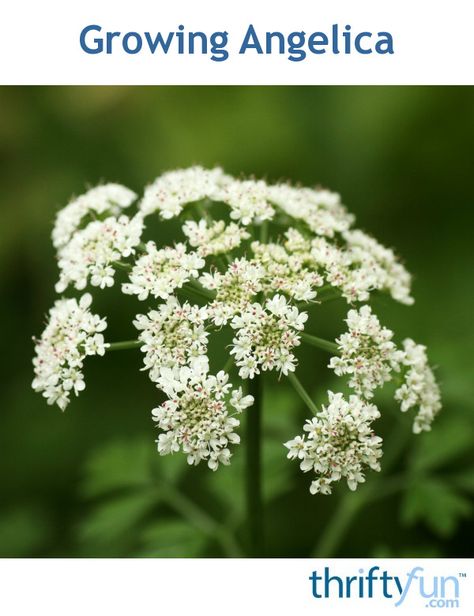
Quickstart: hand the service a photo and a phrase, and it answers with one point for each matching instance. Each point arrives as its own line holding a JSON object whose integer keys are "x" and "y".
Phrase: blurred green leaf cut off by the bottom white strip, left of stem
{"x": 172, "y": 539}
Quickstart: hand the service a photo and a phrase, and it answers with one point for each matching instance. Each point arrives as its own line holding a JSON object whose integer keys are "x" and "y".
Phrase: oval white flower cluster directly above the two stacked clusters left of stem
{"x": 160, "y": 272}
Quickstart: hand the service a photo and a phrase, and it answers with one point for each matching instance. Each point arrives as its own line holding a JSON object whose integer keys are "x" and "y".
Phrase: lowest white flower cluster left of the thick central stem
{"x": 196, "y": 418}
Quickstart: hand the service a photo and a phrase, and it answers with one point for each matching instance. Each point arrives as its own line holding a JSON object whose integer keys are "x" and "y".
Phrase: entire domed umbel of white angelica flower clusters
{"x": 251, "y": 255}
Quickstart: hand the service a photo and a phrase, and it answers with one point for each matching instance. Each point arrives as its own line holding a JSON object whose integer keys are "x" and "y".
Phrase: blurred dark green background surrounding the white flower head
{"x": 89, "y": 482}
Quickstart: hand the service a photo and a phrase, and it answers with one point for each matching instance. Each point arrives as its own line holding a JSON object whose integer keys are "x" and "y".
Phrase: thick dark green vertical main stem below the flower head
{"x": 253, "y": 469}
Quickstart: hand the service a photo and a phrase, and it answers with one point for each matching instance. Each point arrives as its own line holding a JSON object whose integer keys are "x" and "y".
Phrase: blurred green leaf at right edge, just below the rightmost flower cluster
{"x": 444, "y": 444}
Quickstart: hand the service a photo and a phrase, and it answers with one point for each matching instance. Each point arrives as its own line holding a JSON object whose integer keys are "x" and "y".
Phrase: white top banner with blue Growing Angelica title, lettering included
{"x": 245, "y": 42}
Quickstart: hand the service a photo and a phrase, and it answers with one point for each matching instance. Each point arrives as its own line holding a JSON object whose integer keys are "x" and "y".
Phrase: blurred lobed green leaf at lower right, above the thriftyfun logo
{"x": 435, "y": 503}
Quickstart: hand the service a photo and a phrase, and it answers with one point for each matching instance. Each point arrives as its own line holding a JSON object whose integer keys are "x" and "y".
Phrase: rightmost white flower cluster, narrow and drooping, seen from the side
{"x": 419, "y": 388}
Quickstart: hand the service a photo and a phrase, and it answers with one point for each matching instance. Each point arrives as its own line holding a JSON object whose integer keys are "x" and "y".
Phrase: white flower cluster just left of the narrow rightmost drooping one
{"x": 367, "y": 353}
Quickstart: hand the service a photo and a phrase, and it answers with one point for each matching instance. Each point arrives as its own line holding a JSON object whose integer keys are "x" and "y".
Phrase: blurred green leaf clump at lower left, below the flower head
{"x": 128, "y": 482}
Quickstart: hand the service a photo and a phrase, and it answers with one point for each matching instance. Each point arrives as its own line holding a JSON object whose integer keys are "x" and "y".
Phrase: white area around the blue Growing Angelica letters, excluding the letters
{"x": 39, "y": 42}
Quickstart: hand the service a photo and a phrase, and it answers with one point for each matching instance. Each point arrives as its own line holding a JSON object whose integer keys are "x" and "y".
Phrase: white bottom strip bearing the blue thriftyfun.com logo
{"x": 214, "y": 587}
